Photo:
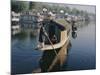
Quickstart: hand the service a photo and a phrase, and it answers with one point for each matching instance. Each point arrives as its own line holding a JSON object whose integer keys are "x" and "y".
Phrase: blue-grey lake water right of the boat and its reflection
{"x": 82, "y": 54}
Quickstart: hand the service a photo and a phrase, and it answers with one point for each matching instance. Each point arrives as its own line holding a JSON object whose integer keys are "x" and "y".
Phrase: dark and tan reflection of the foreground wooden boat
{"x": 50, "y": 62}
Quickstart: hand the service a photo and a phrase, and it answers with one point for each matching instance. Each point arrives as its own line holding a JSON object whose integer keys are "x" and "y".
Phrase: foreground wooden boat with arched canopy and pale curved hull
{"x": 58, "y": 29}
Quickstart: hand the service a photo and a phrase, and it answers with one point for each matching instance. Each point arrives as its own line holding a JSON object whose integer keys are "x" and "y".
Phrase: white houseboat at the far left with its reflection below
{"x": 15, "y": 27}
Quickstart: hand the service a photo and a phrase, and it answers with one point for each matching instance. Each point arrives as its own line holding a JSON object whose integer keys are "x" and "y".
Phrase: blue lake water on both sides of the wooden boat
{"x": 81, "y": 54}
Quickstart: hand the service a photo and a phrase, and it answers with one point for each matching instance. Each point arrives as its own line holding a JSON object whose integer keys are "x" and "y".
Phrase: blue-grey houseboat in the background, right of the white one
{"x": 28, "y": 19}
